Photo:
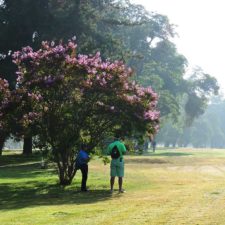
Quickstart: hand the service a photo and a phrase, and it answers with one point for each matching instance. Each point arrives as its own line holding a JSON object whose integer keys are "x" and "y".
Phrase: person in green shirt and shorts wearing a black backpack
{"x": 116, "y": 149}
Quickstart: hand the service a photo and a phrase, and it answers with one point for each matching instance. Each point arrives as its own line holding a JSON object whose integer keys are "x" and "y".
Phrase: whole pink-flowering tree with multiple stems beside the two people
{"x": 80, "y": 98}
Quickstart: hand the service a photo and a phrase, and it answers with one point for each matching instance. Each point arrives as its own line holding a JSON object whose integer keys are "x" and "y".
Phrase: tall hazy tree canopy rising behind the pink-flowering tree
{"x": 119, "y": 30}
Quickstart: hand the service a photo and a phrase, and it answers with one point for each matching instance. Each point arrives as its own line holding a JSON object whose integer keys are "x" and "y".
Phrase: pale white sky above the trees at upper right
{"x": 201, "y": 29}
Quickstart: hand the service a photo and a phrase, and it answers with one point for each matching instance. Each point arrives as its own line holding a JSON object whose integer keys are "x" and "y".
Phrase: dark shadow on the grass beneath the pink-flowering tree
{"x": 33, "y": 193}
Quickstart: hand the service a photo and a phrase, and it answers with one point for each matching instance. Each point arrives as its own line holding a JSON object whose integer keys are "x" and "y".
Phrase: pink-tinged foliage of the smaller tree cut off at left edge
{"x": 13, "y": 118}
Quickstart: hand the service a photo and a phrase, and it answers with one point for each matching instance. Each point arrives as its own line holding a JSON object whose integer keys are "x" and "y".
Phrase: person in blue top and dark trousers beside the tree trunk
{"x": 82, "y": 165}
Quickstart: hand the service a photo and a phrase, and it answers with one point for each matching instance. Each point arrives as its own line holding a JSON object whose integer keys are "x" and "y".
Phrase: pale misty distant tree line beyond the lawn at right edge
{"x": 206, "y": 132}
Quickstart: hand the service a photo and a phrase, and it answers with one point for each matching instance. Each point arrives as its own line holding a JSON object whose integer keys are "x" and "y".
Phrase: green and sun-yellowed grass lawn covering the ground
{"x": 172, "y": 187}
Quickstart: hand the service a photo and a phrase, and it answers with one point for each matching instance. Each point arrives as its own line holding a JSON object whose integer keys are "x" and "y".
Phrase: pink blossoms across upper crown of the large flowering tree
{"x": 58, "y": 68}
